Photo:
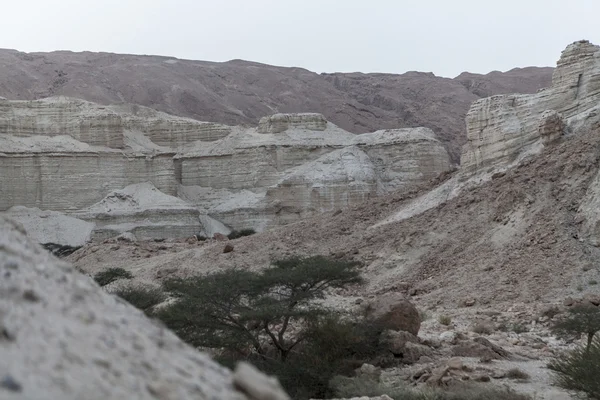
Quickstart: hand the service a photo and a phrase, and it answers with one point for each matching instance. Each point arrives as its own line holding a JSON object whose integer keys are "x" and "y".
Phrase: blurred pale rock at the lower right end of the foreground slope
{"x": 256, "y": 385}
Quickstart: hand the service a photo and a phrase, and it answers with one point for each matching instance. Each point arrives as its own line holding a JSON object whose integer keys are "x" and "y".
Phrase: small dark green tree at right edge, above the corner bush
{"x": 582, "y": 319}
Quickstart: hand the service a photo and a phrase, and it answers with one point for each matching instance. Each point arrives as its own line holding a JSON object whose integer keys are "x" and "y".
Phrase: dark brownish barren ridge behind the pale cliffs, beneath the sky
{"x": 240, "y": 92}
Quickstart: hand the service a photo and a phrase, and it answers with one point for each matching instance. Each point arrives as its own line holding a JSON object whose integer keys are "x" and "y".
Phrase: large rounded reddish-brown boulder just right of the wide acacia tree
{"x": 392, "y": 311}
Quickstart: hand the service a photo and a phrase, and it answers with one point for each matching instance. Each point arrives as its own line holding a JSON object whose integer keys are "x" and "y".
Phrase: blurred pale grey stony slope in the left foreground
{"x": 62, "y": 337}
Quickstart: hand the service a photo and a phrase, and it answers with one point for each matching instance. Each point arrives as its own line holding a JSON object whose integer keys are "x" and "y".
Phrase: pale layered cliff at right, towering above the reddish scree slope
{"x": 503, "y": 129}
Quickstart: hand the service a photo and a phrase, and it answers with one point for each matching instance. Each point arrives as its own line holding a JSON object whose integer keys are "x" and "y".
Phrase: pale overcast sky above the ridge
{"x": 395, "y": 36}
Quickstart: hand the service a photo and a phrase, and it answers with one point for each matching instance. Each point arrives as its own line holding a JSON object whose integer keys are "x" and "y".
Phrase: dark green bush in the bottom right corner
{"x": 579, "y": 370}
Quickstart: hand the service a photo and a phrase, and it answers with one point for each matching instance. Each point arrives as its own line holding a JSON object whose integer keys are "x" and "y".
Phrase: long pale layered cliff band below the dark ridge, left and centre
{"x": 101, "y": 164}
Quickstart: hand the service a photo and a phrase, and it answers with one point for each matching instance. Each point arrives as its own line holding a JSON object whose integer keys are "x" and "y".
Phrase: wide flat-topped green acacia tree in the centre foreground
{"x": 240, "y": 310}
